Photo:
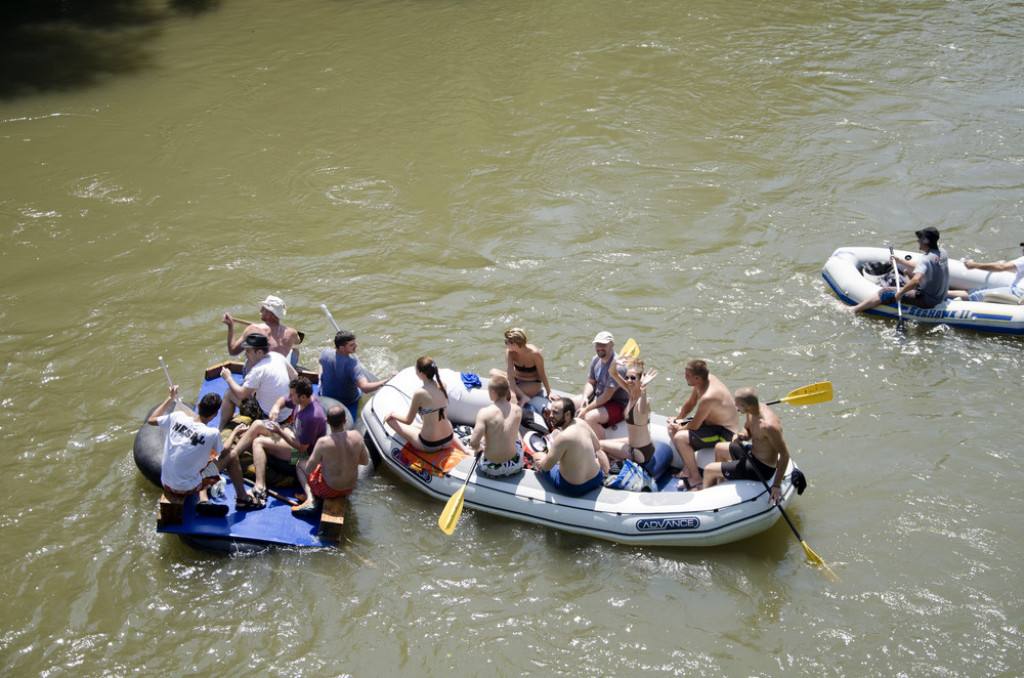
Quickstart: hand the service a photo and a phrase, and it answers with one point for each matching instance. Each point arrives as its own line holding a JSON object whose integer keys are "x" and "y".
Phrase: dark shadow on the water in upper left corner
{"x": 50, "y": 46}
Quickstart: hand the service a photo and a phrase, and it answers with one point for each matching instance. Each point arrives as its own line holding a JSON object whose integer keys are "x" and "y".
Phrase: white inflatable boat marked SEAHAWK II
{"x": 857, "y": 274}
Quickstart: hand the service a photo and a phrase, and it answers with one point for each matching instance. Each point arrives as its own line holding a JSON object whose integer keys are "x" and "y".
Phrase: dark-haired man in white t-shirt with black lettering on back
{"x": 194, "y": 453}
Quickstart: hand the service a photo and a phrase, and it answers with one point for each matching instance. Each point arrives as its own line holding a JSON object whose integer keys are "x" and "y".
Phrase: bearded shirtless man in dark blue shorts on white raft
{"x": 575, "y": 463}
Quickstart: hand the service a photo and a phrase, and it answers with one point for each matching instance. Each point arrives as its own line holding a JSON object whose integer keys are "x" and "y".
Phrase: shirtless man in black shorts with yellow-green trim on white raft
{"x": 714, "y": 420}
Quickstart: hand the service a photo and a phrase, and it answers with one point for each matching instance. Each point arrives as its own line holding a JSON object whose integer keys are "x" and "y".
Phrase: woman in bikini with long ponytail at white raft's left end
{"x": 436, "y": 433}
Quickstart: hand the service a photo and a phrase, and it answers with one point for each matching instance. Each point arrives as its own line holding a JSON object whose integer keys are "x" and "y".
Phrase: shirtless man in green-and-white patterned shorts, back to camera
{"x": 496, "y": 435}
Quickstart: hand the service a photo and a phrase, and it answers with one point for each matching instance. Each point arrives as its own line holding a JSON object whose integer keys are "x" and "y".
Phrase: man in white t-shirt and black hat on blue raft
{"x": 265, "y": 384}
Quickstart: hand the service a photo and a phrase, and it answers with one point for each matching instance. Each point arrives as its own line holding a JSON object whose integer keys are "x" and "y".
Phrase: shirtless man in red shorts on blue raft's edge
{"x": 333, "y": 469}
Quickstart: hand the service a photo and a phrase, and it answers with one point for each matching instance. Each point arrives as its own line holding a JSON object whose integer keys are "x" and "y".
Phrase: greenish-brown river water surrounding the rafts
{"x": 436, "y": 173}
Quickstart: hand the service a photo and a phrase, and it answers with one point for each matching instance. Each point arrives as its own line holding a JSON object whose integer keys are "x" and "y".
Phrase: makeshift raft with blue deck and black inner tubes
{"x": 239, "y": 531}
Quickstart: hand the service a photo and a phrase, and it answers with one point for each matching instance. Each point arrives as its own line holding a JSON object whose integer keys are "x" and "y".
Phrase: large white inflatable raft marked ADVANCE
{"x": 728, "y": 513}
